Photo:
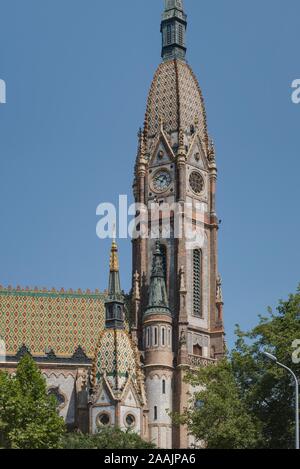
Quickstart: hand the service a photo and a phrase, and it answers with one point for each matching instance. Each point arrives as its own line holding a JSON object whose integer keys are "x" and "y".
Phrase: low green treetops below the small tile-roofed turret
{"x": 107, "y": 438}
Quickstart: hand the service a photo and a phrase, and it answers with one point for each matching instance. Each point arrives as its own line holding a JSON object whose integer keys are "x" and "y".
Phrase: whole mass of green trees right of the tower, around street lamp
{"x": 245, "y": 401}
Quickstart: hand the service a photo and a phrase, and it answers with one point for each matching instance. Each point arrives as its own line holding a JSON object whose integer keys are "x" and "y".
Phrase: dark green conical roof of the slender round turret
{"x": 158, "y": 299}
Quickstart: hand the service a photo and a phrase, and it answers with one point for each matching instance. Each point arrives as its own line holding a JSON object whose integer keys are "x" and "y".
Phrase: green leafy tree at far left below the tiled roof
{"x": 28, "y": 416}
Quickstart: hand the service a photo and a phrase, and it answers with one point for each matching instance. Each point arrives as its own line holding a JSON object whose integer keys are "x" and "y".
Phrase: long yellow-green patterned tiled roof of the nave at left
{"x": 43, "y": 321}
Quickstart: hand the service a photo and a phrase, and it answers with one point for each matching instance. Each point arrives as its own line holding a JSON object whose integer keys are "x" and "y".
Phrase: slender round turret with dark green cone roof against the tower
{"x": 157, "y": 334}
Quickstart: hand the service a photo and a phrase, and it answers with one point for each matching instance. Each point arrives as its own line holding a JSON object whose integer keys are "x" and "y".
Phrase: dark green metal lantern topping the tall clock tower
{"x": 173, "y": 29}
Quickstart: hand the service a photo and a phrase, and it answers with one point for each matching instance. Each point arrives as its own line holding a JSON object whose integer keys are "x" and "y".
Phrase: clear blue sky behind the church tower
{"x": 78, "y": 74}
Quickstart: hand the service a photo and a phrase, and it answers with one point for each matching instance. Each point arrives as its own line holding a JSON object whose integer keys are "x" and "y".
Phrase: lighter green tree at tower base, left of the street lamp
{"x": 218, "y": 415}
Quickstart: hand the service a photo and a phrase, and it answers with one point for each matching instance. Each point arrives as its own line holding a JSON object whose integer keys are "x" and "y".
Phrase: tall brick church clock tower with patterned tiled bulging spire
{"x": 176, "y": 168}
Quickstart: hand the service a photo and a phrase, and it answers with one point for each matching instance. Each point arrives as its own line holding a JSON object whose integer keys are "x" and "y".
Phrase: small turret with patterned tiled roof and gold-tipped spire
{"x": 117, "y": 396}
